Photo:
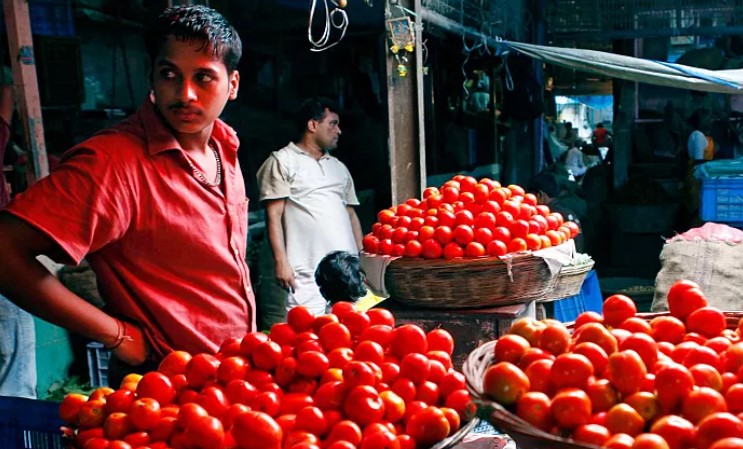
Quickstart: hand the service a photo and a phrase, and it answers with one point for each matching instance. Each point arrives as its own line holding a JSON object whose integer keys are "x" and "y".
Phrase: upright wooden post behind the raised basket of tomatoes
{"x": 405, "y": 160}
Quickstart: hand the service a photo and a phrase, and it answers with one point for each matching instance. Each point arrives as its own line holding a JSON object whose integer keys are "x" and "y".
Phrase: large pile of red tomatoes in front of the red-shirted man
{"x": 345, "y": 380}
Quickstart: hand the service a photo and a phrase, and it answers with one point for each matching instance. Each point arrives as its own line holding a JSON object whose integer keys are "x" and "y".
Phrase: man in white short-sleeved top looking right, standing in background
{"x": 309, "y": 197}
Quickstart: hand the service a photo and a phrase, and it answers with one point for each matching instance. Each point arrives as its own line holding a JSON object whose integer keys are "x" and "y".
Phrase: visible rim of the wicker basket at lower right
{"x": 480, "y": 359}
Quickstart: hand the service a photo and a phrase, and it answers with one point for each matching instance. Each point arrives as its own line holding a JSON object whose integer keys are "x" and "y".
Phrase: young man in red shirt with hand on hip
{"x": 156, "y": 204}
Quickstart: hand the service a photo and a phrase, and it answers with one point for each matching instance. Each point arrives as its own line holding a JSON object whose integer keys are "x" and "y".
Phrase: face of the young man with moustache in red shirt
{"x": 191, "y": 86}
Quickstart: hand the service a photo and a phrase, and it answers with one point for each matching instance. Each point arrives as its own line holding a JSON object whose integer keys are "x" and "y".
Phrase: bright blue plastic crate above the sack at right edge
{"x": 722, "y": 200}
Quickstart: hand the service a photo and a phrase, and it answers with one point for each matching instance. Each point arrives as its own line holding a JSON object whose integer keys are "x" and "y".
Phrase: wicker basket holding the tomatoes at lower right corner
{"x": 526, "y": 435}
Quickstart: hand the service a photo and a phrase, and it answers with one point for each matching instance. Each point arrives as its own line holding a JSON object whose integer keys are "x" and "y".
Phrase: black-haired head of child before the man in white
{"x": 339, "y": 277}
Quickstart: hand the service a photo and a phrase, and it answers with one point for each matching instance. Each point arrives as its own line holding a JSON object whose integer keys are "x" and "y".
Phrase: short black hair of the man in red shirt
{"x": 196, "y": 23}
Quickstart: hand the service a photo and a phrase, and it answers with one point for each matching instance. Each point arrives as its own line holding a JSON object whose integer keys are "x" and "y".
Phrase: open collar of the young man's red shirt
{"x": 159, "y": 138}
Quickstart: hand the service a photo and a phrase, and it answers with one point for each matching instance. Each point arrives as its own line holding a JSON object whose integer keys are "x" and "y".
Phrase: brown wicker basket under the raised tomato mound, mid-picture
{"x": 468, "y": 283}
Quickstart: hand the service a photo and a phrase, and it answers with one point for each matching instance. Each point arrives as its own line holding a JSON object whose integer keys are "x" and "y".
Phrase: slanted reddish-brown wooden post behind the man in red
{"x": 25, "y": 82}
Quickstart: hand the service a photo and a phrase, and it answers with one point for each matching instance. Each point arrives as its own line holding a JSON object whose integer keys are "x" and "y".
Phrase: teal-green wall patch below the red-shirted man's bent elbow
{"x": 53, "y": 355}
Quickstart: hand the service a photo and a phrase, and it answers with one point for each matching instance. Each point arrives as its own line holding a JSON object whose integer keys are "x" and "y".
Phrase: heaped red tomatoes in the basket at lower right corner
{"x": 621, "y": 382}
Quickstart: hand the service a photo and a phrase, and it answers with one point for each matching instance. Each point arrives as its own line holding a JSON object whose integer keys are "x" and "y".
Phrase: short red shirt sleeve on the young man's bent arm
{"x": 83, "y": 205}
